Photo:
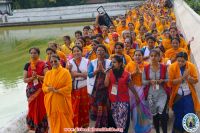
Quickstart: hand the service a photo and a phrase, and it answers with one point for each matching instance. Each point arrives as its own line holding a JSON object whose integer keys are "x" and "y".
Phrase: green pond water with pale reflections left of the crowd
{"x": 14, "y": 45}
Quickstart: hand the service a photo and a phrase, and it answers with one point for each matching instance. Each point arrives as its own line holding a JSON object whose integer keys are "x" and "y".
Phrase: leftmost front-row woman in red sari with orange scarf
{"x": 33, "y": 75}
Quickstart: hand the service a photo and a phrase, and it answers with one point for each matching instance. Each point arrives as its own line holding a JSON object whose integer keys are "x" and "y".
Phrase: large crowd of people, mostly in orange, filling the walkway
{"x": 134, "y": 70}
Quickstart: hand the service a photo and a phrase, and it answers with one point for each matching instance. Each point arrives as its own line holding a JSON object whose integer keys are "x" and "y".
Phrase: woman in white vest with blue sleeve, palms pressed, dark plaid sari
{"x": 96, "y": 88}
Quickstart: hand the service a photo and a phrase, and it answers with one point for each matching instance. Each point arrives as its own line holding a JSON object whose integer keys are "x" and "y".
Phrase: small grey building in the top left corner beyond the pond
{"x": 5, "y": 7}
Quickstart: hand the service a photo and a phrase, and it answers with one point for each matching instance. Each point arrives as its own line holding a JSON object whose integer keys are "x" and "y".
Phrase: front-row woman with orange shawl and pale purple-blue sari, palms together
{"x": 141, "y": 115}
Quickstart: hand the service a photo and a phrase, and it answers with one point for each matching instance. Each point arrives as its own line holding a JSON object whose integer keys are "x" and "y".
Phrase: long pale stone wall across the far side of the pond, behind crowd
{"x": 65, "y": 14}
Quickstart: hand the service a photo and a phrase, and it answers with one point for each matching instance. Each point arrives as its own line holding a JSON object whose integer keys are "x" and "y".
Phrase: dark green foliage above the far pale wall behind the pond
{"x": 25, "y": 4}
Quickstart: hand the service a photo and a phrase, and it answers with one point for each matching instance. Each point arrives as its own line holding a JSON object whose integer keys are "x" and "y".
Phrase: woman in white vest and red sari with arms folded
{"x": 80, "y": 99}
